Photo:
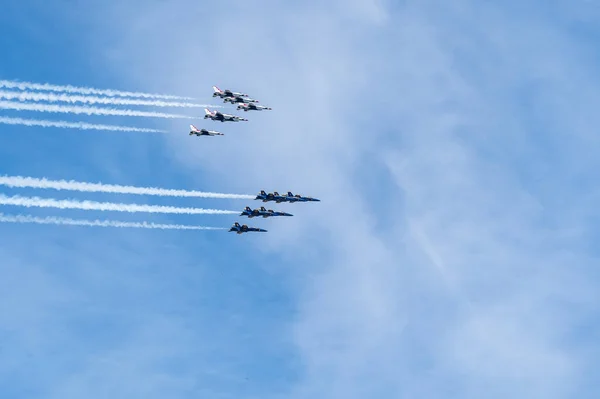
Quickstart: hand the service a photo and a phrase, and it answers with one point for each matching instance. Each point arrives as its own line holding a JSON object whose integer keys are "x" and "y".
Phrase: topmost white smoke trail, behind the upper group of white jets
{"x": 83, "y": 90}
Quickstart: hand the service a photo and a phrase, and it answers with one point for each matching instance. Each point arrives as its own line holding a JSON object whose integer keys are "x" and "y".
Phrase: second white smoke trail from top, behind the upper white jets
{"x": 73, "y": 99}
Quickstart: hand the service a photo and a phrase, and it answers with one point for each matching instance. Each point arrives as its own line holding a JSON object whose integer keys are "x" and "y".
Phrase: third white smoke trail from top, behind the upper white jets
{"x": 73, "y": 109}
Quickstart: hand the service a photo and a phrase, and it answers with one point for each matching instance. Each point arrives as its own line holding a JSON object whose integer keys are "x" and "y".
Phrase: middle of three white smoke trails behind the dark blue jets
{"x": 104, "y": 206}
